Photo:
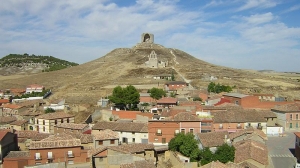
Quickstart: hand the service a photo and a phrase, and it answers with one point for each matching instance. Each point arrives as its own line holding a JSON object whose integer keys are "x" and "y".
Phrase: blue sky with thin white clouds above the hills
{"x": 243, "y": 34}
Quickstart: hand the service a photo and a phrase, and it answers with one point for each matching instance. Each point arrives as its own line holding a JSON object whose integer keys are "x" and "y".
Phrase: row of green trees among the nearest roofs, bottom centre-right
{"x": 187, "y": 145}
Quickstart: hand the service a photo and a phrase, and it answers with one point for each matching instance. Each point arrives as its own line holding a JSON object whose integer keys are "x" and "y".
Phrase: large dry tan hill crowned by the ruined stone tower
{"x": 86, "y": 83}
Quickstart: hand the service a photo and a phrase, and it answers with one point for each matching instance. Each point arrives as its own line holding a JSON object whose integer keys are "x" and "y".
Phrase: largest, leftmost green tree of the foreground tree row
{"x": 186, "y": 145}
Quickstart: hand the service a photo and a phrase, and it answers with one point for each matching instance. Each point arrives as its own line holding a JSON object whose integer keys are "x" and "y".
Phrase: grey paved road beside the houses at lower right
{"x": 280, "y": 150}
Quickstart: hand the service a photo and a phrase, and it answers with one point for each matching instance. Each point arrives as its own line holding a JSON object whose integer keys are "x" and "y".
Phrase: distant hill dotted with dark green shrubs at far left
{"x": 28, "y": 64}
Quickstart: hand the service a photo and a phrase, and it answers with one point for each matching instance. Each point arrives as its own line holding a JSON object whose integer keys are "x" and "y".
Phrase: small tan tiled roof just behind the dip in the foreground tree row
{"x": 213, "y": 139}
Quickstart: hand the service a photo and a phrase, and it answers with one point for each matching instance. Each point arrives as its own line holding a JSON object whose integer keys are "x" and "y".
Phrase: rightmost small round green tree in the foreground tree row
{"x": 225, "y": 153}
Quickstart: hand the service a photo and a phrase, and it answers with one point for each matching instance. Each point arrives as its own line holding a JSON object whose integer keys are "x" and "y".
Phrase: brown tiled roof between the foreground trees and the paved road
{"x": 250, "y": 149}
